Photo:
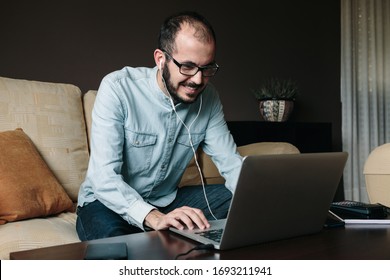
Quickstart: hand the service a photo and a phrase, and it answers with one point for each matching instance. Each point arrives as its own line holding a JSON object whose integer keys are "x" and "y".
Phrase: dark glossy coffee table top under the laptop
{"x": 352, "y": 242}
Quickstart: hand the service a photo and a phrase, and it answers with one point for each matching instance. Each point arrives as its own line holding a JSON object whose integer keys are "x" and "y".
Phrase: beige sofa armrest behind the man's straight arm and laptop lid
{"x": 210, "y": 172}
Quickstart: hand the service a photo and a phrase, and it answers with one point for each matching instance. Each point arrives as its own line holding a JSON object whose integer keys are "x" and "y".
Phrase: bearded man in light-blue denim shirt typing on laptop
{"x": 147, "y": 124}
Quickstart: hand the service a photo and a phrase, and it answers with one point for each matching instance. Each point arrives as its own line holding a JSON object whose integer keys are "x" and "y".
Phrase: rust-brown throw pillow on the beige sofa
{"x": 28, "y": 187}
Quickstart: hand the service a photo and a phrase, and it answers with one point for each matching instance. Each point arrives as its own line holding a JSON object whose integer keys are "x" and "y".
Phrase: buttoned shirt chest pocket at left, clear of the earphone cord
{"x": 139, "y": 150}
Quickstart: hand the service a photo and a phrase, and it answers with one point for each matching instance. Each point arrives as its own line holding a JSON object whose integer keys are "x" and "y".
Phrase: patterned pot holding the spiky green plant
{"x": 276, "y": 110}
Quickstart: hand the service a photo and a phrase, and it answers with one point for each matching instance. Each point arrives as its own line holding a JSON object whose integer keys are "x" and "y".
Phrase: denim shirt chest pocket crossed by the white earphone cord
{"x": 183, "y": 152}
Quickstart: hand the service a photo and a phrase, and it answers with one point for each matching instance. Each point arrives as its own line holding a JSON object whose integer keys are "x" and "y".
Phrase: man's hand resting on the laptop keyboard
{"x": 179, "y": 218}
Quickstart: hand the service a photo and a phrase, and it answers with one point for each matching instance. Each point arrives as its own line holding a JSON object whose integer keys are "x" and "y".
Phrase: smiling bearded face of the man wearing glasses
{"x": 189, "y": 50}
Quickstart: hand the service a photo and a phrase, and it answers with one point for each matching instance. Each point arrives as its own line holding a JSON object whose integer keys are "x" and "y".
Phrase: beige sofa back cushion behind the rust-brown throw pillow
{"x": 51, "y": 114}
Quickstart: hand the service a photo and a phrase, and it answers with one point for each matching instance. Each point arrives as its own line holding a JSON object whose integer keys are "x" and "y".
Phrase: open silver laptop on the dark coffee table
{"x": 277, "y": 197}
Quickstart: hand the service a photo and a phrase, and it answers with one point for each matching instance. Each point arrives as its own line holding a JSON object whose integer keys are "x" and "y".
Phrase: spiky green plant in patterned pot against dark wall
{"x": 276, "y": 98}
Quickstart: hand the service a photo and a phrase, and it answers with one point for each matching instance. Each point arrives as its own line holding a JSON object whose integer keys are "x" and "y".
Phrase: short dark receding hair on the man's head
{"x": 172, "y": 25}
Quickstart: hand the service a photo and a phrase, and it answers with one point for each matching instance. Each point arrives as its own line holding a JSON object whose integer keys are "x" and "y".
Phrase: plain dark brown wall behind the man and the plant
{"x": 79, "y": 42}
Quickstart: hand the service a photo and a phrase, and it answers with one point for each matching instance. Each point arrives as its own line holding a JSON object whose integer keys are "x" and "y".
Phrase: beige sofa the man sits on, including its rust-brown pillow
{"x": 43, "y": 165}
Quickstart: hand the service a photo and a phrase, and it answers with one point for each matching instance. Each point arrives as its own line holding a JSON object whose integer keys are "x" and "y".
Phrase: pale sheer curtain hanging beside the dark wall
{"x": 365, "y": 86}
